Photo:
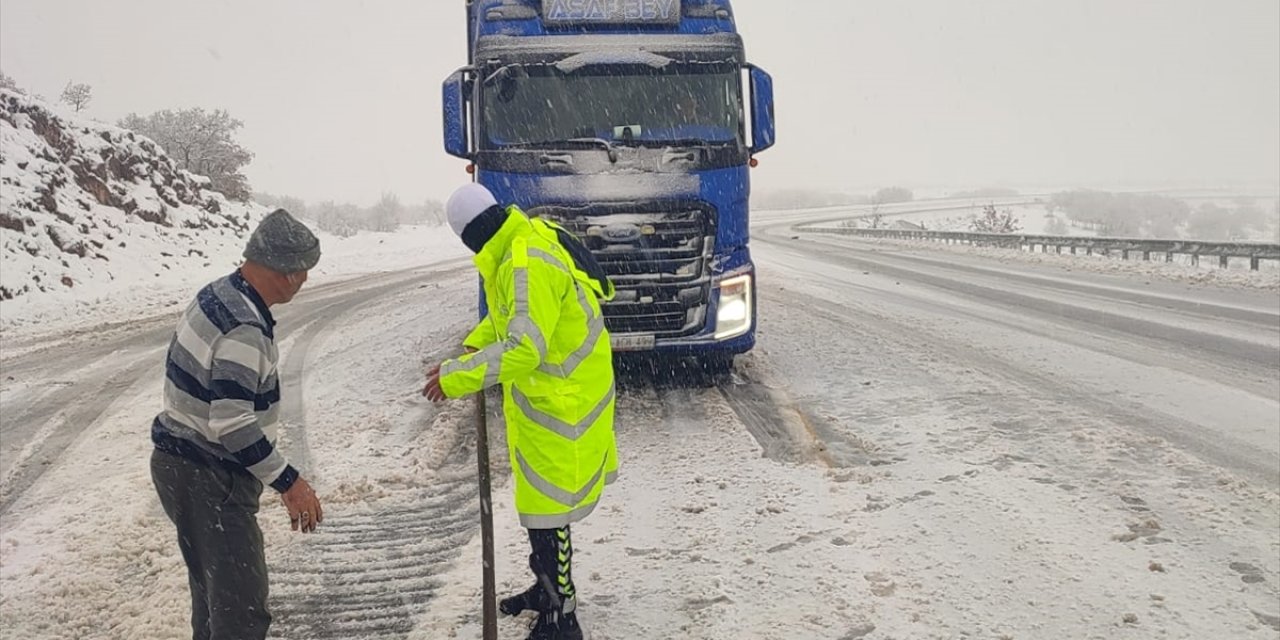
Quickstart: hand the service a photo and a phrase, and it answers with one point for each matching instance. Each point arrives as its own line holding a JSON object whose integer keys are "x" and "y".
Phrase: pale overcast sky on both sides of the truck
{"x": 341, "y": 99}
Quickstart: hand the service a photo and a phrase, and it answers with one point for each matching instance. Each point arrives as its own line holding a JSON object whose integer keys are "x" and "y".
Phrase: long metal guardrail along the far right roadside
{"x": 1226, "y": 252}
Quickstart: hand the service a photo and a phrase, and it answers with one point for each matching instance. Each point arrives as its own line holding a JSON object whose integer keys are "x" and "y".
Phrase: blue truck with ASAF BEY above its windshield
{"x": 634, "y": 125}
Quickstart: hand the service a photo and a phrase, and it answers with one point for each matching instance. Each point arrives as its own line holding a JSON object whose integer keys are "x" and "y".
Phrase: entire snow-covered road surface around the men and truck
{"x": 925, "y": 445}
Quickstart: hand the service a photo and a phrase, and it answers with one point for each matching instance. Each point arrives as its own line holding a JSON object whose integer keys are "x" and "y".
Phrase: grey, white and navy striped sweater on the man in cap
{"x": 222, "y": 391}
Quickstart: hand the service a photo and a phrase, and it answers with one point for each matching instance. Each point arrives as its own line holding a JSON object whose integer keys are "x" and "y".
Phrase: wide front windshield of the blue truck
{"x": 542, "y": 107}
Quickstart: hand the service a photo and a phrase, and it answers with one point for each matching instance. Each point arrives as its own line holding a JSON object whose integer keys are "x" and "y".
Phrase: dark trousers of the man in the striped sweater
{"x": 216, "y": 511}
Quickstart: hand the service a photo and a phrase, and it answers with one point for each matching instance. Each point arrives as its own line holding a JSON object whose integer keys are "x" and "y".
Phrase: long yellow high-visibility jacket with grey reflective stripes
{"x": 545, "y": 341}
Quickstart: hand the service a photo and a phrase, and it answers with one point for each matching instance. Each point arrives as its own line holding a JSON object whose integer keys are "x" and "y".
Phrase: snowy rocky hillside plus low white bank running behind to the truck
{"x": 97, "y": 222}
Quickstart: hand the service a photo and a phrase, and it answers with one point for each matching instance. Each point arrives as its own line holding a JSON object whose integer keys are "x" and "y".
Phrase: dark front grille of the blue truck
{"x": 660, "y": 262}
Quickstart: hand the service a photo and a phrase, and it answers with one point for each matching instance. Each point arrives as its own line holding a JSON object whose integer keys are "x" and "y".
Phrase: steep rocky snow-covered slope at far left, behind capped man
{"x": 93, "y": 207}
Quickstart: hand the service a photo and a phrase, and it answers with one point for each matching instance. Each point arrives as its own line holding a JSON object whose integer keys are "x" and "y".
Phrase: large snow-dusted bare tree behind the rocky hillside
{"x": 203, "y": 143}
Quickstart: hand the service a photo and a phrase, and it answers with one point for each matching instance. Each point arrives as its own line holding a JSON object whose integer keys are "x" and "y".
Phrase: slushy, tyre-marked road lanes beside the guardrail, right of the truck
{"x": 1203, "y": 372}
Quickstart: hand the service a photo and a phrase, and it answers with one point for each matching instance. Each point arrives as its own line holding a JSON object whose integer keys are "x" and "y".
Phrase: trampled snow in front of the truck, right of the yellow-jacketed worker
{"x": 973, "y": 510}
